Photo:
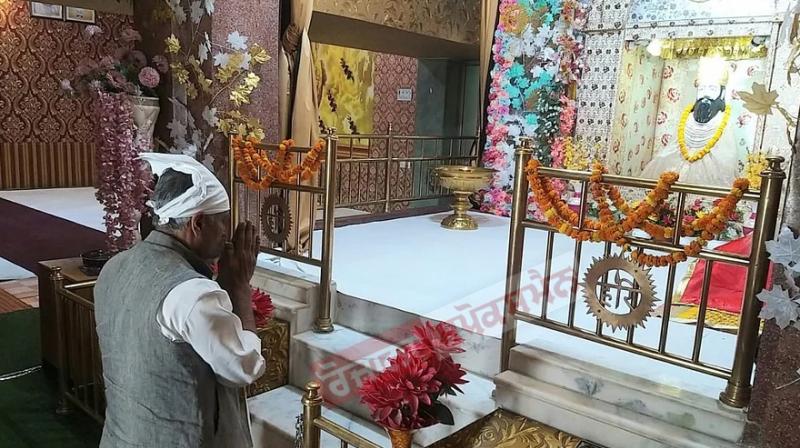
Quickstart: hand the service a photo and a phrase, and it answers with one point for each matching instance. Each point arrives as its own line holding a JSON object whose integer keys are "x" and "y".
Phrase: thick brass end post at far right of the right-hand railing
{"x": 737, "y": 392}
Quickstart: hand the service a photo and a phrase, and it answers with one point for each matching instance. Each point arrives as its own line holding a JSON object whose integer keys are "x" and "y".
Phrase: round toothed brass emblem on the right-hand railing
{"x": 619, "y": 301}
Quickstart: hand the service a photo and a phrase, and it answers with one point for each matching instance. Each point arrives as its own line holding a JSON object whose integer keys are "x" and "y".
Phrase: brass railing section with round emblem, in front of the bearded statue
{"x": 737, "y": 392}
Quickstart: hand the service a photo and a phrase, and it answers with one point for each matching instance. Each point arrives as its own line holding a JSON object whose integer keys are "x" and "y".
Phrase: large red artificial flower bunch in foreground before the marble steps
{"x": 406, "y": 396}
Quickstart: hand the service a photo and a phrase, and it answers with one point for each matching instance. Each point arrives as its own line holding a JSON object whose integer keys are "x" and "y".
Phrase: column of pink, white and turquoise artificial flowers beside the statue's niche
{"x": 538, "y": 58}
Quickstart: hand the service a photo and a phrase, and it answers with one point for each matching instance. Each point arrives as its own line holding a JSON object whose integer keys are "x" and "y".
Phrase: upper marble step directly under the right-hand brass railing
{"x": 682, "y": 408}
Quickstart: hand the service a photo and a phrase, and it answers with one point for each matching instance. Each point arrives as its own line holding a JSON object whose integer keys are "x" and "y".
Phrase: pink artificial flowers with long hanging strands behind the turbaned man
{"x": 123, "y": 182}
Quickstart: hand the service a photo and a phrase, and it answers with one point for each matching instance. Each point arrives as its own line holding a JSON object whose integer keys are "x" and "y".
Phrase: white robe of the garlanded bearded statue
{"x": 720, "y": 167}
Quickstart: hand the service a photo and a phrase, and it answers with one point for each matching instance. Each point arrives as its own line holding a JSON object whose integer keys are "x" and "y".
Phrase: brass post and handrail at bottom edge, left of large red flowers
{"x": 313, "y": 424}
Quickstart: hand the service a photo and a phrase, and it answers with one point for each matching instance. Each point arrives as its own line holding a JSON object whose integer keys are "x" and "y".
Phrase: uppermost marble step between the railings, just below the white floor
{"x": 482, "y": 355}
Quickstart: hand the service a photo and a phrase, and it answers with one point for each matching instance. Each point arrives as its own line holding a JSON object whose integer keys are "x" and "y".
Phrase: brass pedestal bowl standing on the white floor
{"x": 463, "y": 181}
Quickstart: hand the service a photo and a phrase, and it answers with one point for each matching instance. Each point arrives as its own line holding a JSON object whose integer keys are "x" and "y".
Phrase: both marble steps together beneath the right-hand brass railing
{"x": 611, "y": 407}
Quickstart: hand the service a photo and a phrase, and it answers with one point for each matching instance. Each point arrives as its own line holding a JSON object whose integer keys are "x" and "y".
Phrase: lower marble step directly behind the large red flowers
{"x": 341, "y": 359}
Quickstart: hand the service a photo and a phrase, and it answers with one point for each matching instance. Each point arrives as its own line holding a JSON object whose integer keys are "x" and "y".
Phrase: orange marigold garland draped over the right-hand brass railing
{"x": 608, "y": 228}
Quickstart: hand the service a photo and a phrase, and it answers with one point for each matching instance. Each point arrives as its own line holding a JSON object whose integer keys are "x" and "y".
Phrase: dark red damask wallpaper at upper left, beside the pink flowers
{"x": 35, "y": 55}
